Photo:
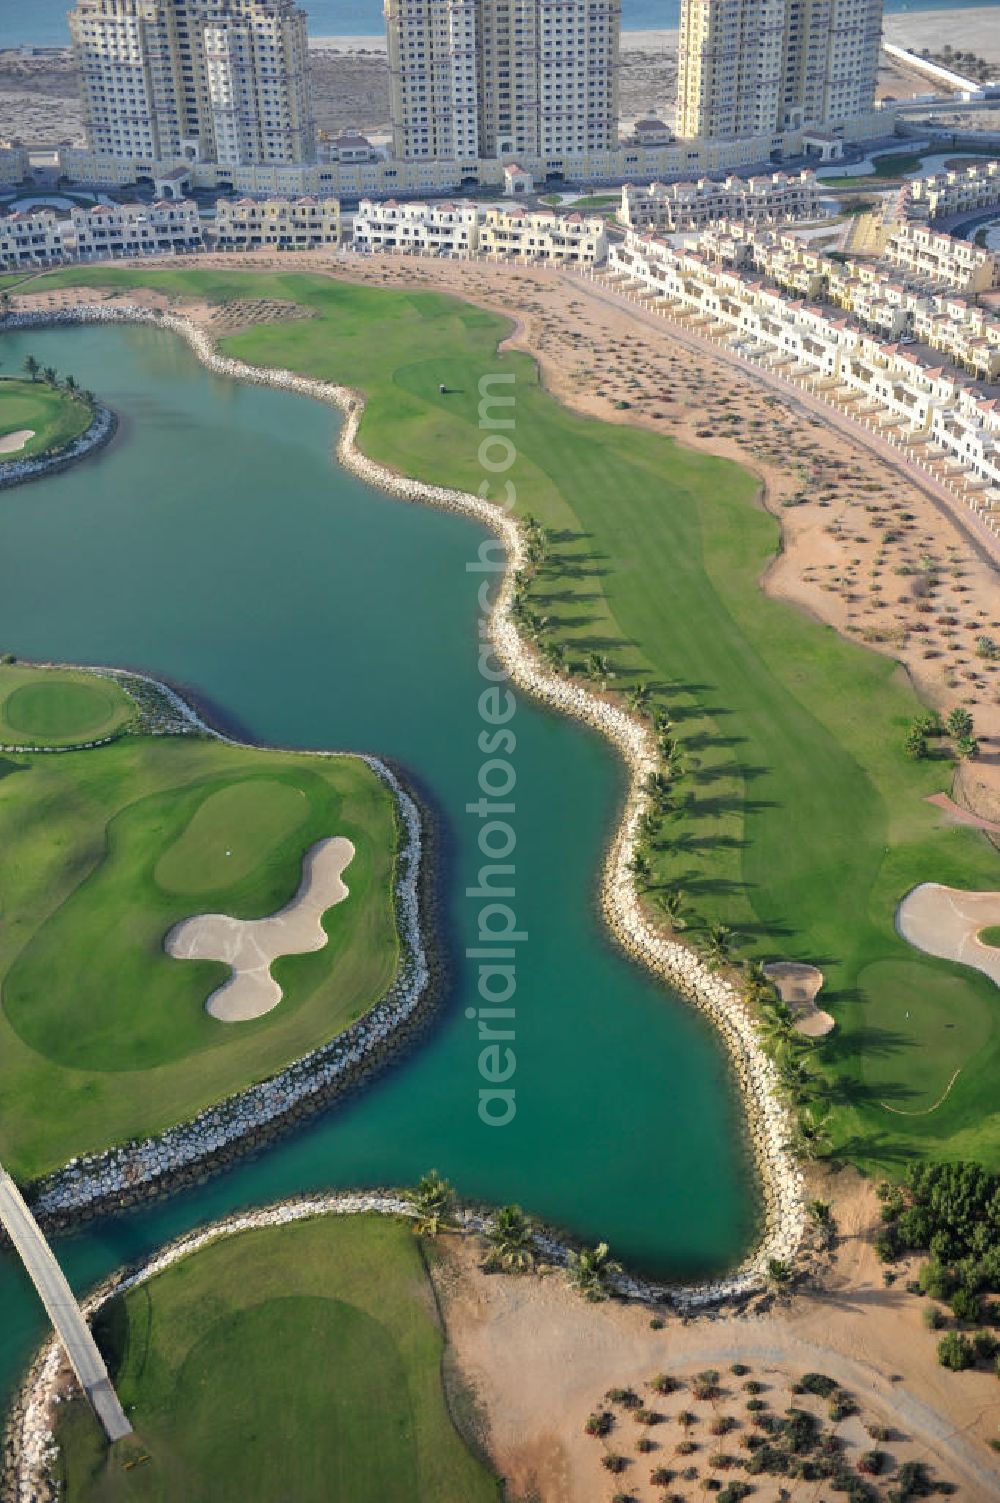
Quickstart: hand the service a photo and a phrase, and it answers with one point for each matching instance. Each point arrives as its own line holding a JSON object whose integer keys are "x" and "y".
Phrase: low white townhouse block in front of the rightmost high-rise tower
{"x": 778, "y": 199}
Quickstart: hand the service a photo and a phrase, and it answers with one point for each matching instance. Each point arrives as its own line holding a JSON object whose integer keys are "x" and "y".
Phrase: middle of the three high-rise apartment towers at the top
{"x": 497, "y": 79}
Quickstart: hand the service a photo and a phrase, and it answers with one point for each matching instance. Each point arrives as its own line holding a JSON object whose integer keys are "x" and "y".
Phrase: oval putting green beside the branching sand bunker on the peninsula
{"x": 232, "y": 833}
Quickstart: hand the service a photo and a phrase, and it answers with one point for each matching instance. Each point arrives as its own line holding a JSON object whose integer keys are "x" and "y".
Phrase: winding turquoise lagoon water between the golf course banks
{"x": 216, "y": 543}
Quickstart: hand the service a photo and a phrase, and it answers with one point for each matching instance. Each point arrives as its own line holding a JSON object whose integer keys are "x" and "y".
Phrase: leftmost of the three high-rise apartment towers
{"x": 195, "y": 80}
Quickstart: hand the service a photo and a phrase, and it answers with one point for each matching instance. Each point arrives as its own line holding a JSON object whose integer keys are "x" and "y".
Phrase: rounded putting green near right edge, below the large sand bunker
{"x": 918, "y": 1036}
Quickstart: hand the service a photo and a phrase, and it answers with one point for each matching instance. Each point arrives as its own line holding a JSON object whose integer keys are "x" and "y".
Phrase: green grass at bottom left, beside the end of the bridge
{"x": 298, "y": 1362}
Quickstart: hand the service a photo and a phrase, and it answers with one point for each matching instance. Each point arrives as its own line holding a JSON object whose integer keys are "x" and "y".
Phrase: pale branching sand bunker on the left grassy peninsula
{"x": 252, "y": 945}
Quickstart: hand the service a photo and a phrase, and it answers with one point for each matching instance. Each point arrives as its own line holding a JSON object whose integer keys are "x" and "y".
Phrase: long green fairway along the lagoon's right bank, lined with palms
{"x": 802, "y": 824}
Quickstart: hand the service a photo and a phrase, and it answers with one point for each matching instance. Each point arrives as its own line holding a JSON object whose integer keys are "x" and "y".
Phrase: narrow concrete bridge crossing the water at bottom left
{"x": 62, "y": 1308}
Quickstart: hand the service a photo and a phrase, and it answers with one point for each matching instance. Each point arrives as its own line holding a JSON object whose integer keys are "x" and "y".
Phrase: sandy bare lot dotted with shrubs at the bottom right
{"x": 541, "y": 1361}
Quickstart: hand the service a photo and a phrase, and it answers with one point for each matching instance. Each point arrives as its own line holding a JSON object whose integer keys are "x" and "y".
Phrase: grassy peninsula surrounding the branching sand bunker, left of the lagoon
{"x": 103, "y": 853}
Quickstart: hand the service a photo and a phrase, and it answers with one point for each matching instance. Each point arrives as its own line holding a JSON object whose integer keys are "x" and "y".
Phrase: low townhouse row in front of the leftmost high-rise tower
{"x": 115, "y": 231}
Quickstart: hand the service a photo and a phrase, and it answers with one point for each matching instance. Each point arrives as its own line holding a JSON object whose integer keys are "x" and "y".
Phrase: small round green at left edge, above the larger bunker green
{"x": 59, "y": 707}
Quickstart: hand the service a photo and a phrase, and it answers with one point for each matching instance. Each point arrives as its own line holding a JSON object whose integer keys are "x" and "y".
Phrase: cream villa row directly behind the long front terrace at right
{"x": 874, "y": 294}
